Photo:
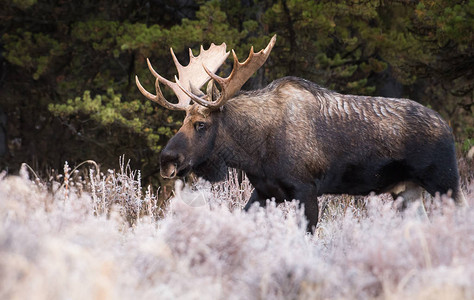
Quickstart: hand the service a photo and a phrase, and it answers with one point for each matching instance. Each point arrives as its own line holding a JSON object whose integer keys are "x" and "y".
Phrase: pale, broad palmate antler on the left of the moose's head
{"x": 191, "y": 77}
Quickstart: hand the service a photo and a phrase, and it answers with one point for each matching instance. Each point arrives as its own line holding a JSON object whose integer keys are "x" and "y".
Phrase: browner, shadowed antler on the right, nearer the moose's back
{"x": 237, "y": 78}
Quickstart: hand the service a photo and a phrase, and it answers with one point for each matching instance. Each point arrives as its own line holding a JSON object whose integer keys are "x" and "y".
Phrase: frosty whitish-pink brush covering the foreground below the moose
{"x": 104, "y": 236}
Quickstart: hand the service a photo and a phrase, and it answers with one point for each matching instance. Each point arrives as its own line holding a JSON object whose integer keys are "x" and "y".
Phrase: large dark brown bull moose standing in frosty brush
{"x": 297, "y": 140}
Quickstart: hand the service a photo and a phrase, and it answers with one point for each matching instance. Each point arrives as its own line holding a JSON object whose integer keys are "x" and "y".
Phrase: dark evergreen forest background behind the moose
{"x": 67, "y": 68}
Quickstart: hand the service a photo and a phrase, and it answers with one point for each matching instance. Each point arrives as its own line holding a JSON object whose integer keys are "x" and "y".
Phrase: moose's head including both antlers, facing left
{"x": 193, "y": 145}
